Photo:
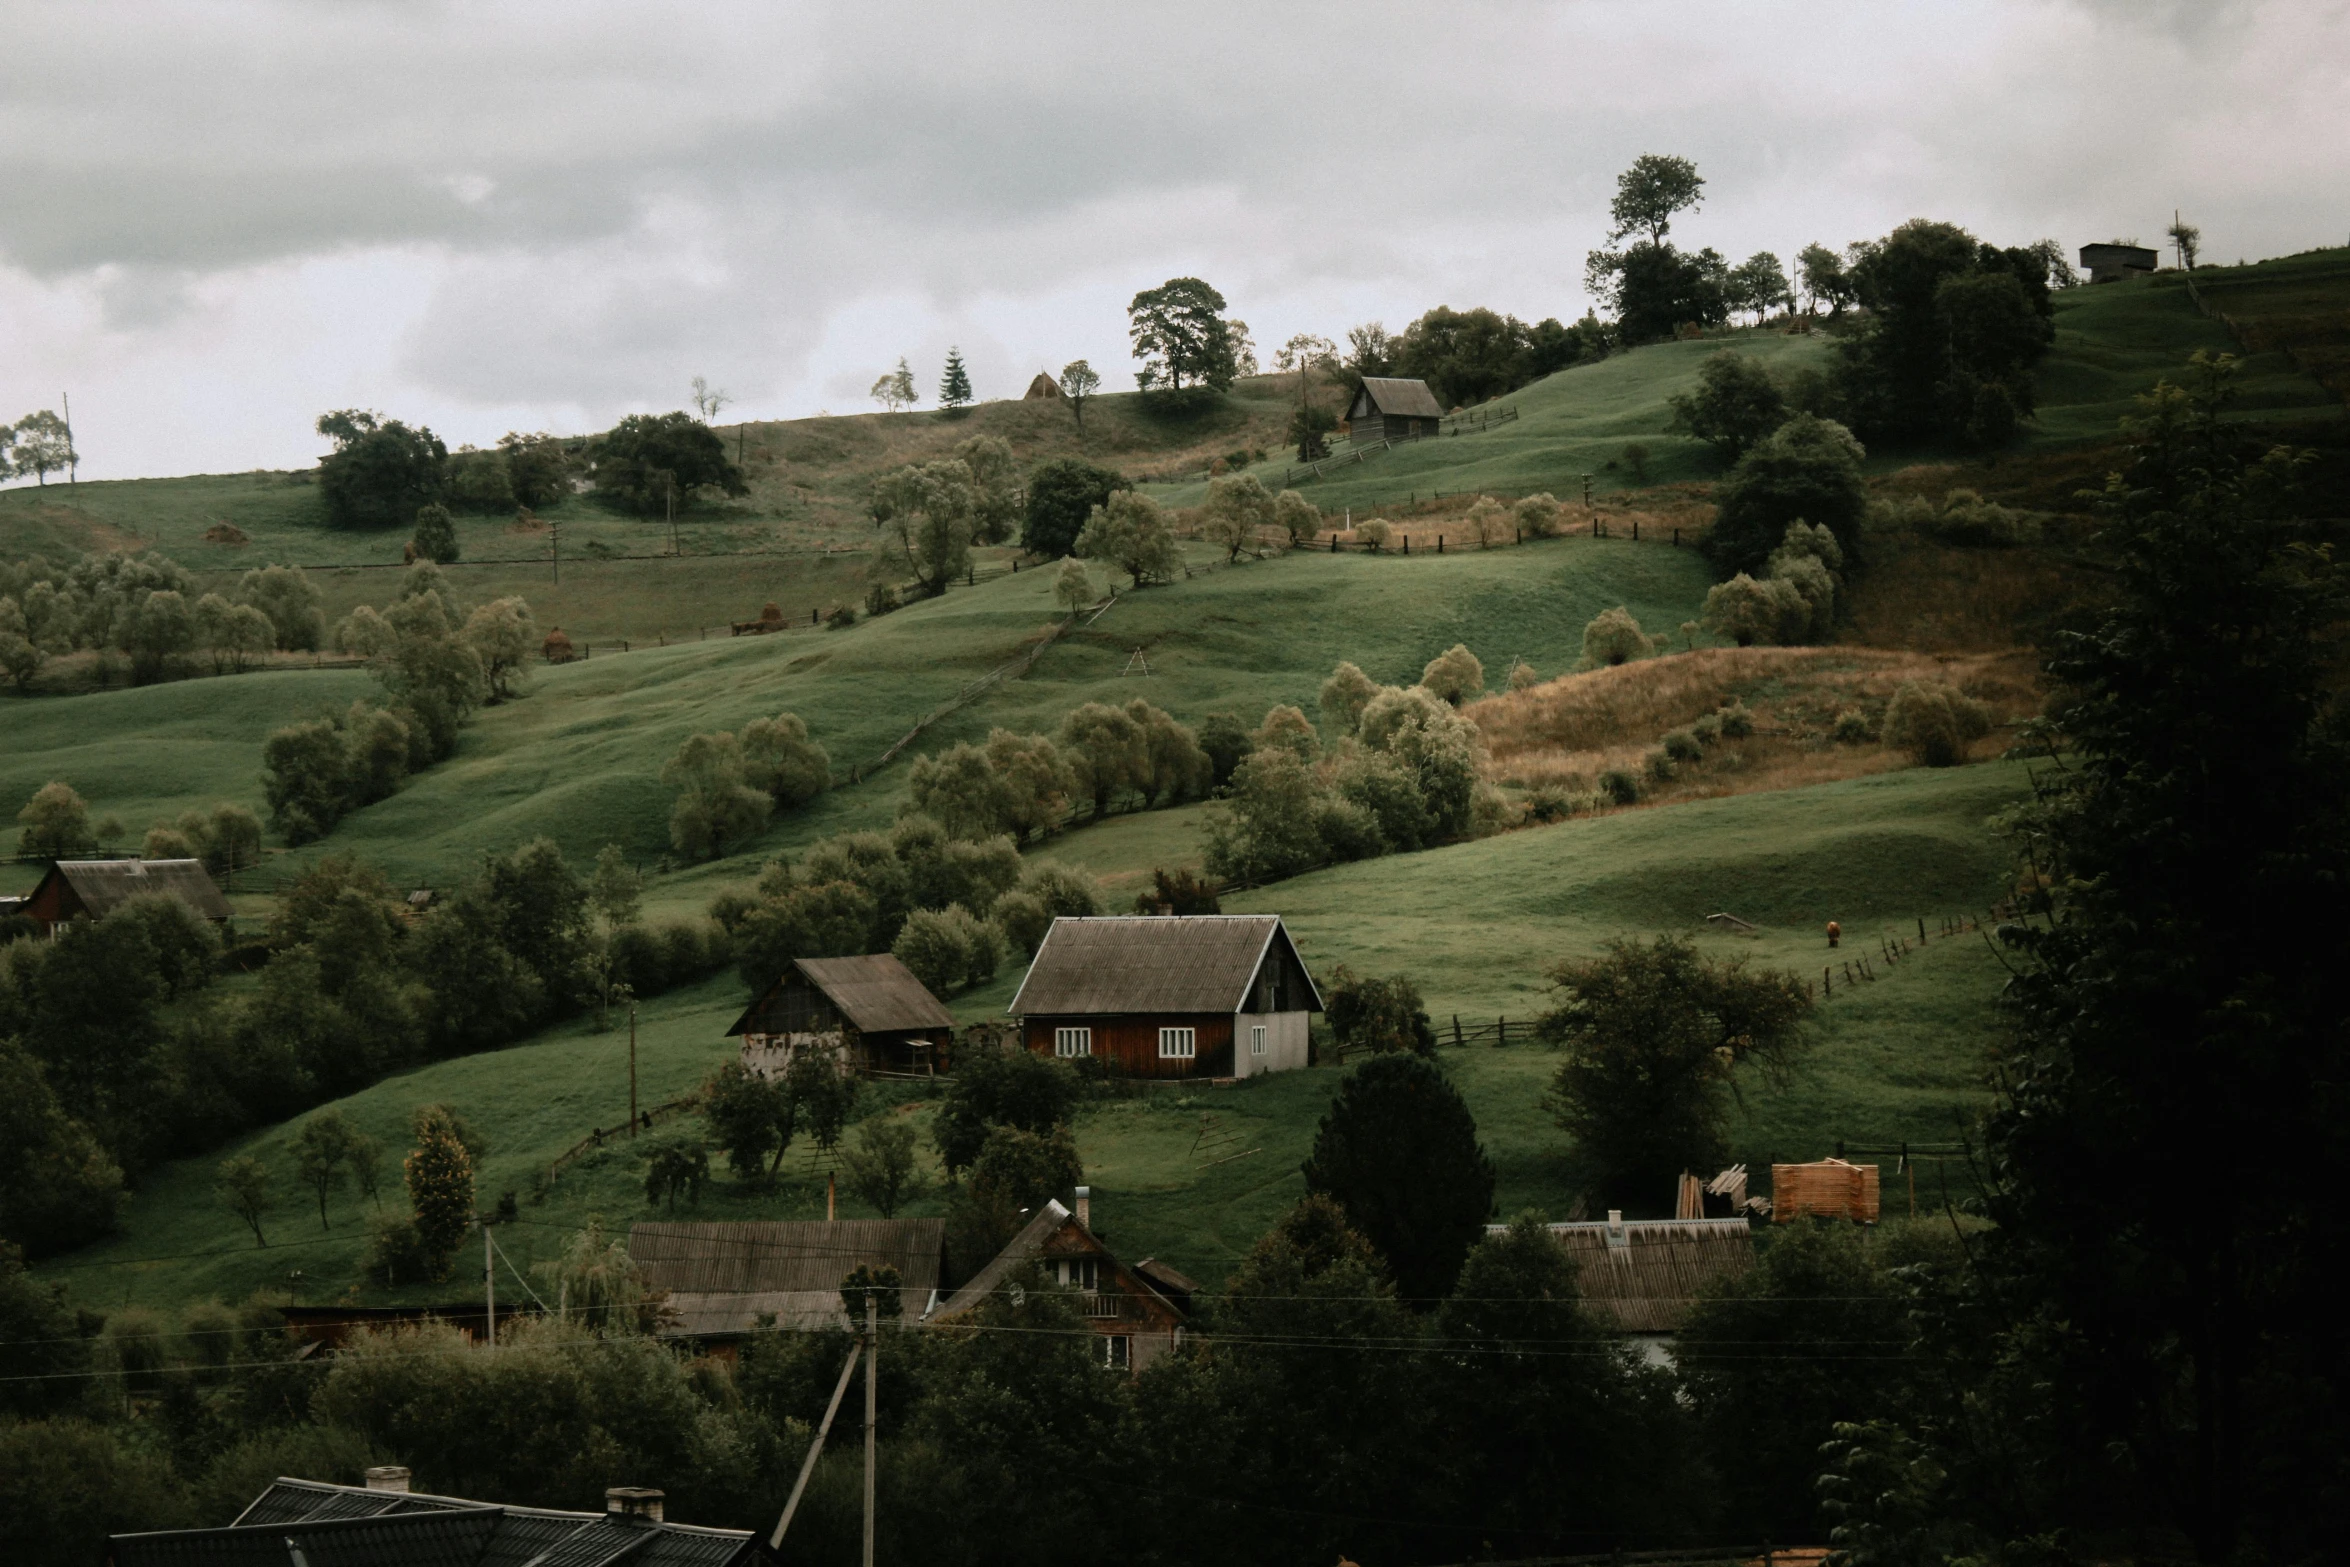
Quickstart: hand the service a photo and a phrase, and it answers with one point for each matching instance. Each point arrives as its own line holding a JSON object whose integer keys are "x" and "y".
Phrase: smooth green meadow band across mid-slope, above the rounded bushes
{"x": 579, "y": 758}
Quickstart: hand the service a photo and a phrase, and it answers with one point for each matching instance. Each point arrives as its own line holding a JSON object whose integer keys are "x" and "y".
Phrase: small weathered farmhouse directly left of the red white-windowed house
{"x": 871, "y": 1011}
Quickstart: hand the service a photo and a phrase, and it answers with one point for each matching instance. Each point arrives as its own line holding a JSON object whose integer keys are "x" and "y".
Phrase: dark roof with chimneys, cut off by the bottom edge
{"x": 347, "y": 1526}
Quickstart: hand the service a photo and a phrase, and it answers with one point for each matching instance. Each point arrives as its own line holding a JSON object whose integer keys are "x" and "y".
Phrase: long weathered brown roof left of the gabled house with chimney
{"x": 725, "y": 1277}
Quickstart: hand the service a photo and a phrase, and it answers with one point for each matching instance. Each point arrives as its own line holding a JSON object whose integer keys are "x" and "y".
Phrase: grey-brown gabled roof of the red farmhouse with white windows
{"x": 1150, "y": 964}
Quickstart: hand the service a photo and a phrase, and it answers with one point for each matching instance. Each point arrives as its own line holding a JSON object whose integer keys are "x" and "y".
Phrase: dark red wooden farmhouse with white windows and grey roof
{"x": 1169, "y": 995}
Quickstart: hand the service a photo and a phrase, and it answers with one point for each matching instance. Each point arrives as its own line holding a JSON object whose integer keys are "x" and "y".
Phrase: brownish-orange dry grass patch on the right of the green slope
{"x": 1569, "y": 734}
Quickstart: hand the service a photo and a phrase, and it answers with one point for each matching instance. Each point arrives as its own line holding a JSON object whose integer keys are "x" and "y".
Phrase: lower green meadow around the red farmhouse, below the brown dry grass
{"x": 1477, "y": 924}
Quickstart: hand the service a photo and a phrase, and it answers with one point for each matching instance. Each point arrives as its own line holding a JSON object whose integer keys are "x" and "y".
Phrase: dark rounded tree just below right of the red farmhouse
{"x": 1399, "y": 1155}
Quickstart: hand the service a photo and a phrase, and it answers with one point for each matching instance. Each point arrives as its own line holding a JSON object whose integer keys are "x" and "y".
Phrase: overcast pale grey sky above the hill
{"x": 222, "y": 220}
